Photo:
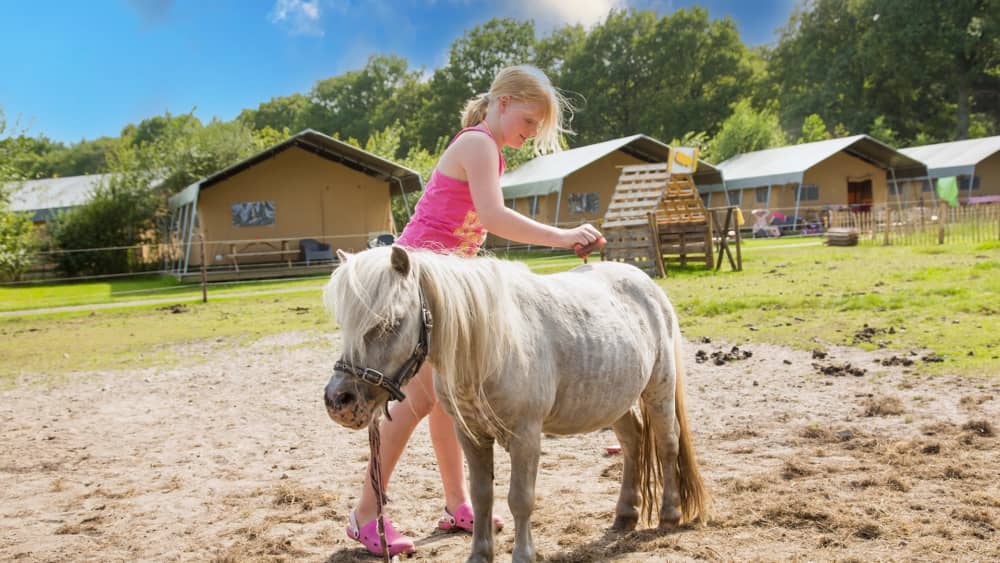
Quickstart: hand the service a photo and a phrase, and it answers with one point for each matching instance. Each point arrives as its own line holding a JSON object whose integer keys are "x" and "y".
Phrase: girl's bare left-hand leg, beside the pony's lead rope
{"x": 394, "y": 434}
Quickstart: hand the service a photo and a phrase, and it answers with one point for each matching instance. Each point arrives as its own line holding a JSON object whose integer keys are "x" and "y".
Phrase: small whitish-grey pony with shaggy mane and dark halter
{"x": 517, "y": 354}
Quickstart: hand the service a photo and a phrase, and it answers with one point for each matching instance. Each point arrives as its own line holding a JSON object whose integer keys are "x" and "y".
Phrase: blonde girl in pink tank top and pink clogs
{"x": 462, "y": 201}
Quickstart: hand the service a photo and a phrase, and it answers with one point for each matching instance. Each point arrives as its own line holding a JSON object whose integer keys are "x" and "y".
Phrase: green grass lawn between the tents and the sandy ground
{"x": 943, "y": 300}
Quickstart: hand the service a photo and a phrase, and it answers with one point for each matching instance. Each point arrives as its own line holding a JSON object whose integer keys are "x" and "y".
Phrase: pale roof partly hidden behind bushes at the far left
{"x": 48, "y": 196}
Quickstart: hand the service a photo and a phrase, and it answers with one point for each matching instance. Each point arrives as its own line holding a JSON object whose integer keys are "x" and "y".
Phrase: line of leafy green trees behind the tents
{"x": 908, "y": 72}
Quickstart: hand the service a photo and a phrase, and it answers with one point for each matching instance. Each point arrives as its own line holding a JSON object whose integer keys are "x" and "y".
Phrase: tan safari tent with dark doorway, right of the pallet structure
{"x": 850, "y": 172}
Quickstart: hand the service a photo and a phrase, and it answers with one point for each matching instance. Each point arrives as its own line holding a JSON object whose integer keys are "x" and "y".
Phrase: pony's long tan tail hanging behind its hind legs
{"x": 695, "y": 500}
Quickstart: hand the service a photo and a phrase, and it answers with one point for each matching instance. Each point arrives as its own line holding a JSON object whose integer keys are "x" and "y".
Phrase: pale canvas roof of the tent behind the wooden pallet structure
{"x": 545, "y": 174}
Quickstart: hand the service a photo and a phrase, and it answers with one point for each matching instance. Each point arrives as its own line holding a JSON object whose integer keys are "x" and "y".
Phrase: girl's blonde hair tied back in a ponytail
{"x": 525, "y": 83}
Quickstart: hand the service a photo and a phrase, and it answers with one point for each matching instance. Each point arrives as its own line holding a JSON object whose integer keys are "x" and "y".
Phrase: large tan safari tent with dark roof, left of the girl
{"x": 310, "y": 186}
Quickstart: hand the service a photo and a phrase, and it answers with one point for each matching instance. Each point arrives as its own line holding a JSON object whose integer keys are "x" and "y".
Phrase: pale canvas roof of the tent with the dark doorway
{"x": 788, "y": 165}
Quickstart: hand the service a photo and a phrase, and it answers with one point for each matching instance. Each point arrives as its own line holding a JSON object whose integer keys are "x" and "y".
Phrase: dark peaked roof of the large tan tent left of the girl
{"x": 401, "y": 178}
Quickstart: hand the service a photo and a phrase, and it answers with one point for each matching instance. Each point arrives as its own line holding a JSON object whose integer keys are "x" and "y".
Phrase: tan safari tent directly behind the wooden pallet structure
{"x": 575, "y": 186}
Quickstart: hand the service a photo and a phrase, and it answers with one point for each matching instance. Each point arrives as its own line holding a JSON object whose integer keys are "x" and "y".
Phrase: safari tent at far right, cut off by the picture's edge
{"x": 975, "y": 159}
